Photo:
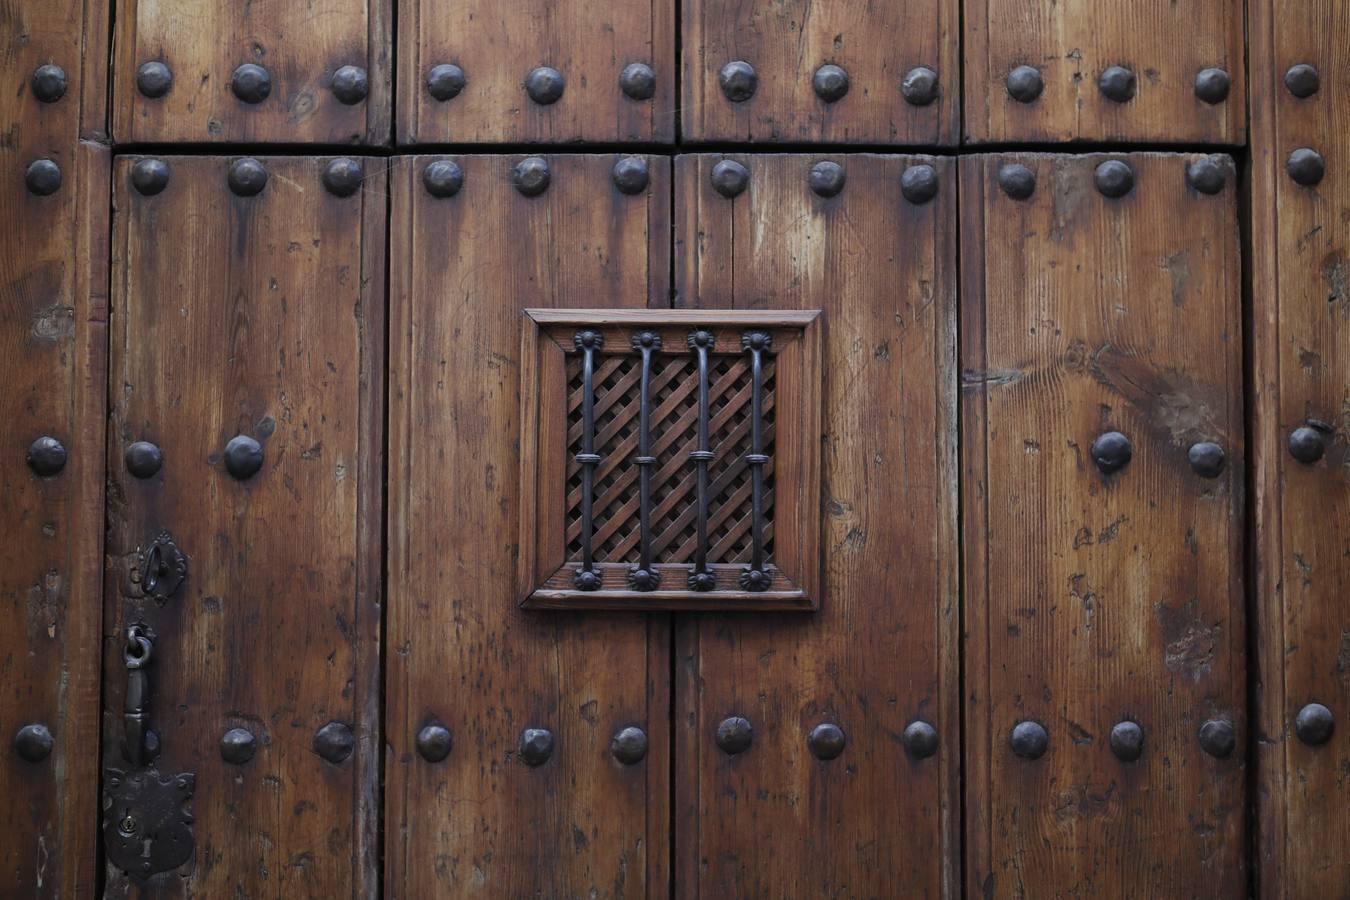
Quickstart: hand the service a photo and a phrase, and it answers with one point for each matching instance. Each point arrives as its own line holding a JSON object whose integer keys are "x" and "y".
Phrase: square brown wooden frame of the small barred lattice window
{"x": 551, "y": 338}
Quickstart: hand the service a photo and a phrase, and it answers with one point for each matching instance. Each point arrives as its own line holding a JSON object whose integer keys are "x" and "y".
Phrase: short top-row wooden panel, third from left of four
{"x": 788, "y": 41}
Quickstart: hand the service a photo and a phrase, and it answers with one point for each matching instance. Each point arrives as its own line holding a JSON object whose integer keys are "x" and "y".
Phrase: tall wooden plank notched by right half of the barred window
{"x": 882, "y": 651}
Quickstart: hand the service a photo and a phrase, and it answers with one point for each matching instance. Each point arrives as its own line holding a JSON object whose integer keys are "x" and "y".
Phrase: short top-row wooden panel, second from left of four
{"x": 497, "y": 45}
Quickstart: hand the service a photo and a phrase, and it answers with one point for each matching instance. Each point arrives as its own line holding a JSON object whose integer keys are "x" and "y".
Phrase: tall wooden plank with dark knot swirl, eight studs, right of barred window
{"x": 1094, "y": 598}
